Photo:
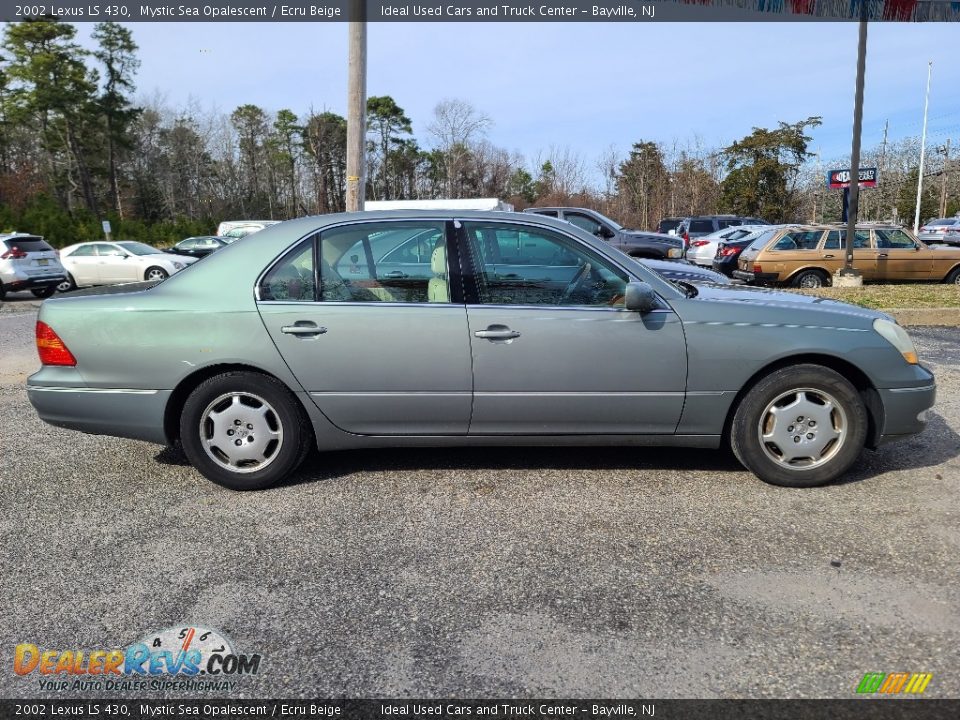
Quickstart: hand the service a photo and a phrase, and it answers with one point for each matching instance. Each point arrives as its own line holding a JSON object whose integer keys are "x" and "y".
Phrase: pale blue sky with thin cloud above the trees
{"x": 587, "y": 85}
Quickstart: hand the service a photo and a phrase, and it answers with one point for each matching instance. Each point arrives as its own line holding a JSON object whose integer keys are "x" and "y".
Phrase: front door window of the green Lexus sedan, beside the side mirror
{"x": 520, "y": 265}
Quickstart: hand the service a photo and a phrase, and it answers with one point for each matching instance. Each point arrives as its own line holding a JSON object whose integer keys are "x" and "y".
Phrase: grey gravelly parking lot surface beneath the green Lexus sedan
{"x": 489, "y": 572}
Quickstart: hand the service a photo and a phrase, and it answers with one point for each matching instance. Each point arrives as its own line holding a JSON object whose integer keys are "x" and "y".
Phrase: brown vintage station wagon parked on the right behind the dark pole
{"x": 808, "y": 255}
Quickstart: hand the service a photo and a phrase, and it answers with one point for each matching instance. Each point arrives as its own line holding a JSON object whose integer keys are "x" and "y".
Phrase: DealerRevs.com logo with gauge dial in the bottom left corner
{"x": 181, "y": 658}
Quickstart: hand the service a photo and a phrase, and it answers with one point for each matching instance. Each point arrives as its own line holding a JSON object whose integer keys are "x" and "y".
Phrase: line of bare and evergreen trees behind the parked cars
{"x": 77, "y": 146}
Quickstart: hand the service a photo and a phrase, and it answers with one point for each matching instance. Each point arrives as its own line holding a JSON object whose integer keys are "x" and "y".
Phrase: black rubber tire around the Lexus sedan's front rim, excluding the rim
{"x": 743, "y": 432}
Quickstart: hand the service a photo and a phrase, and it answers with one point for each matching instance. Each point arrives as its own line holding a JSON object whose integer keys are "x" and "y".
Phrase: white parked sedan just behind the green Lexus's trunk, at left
{"x": 103, "y": 263}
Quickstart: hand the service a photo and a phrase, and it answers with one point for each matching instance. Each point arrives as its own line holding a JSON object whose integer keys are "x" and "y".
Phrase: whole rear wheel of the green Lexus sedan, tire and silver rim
{"x": 248, "y": 410}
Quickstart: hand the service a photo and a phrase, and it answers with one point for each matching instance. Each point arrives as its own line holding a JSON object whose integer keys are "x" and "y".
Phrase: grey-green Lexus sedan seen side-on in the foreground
{"x": 456, "y": 328}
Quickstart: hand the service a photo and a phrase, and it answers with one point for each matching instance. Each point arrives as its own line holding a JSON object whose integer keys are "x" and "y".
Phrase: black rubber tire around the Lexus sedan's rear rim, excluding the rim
{"x": 296, "y": 436}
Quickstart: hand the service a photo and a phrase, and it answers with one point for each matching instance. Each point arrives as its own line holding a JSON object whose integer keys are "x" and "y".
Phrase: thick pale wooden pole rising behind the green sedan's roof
{"x": 357, "y": 107}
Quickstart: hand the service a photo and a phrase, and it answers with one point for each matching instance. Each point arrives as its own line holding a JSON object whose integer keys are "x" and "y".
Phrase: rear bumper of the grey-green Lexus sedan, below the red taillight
{"x": 129, "y": 413}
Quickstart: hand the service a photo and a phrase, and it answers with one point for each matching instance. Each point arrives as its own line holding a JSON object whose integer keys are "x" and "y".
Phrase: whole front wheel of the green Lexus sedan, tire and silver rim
{"x": 832, "y": 436}
